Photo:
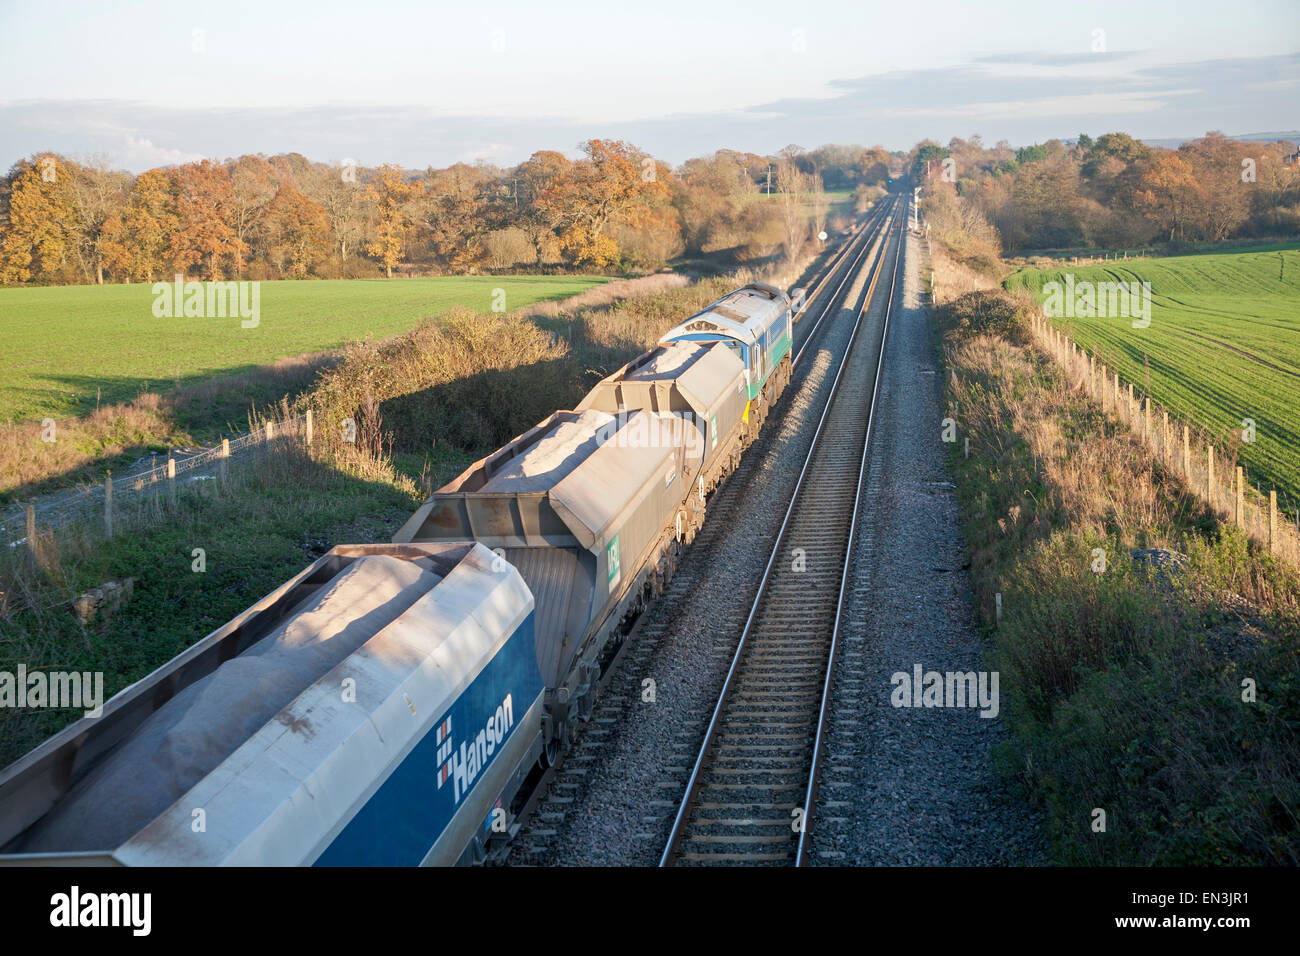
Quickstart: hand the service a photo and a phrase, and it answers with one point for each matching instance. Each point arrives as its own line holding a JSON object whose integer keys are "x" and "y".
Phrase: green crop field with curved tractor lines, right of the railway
{"x": 1224, "y": 345}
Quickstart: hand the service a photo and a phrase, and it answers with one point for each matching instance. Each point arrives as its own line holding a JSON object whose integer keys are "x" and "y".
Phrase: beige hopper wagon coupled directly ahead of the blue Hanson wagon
{"x": 587, "y": 507}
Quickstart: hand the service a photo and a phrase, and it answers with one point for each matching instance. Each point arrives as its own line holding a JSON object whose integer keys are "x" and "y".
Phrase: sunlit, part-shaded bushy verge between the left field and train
{"x": 457, "y": 390}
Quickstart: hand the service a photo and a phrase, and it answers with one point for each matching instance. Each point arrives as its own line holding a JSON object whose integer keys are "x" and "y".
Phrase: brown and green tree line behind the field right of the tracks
{"x": 1111, "y": 192}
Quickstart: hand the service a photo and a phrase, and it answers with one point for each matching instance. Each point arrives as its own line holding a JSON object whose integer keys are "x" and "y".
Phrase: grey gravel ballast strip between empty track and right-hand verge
{"x": 912, "y": 786}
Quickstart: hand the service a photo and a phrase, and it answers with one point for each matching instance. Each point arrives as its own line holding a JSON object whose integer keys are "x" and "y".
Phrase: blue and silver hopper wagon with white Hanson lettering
{"x": 382, "y": 708}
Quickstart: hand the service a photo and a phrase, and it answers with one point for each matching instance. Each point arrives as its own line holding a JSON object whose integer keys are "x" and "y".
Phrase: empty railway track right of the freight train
{"x": 753, "y": 786}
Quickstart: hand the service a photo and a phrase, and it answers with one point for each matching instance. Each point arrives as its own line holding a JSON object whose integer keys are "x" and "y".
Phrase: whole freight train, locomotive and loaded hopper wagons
{"x": 389, "y": 704}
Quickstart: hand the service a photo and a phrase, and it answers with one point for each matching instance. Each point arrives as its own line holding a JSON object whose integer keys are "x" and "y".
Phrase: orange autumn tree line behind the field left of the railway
{"x": 613, "y": 209}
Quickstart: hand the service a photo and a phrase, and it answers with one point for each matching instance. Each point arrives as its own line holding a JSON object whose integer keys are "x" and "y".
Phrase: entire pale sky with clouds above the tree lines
{"x": 155, "y": 83}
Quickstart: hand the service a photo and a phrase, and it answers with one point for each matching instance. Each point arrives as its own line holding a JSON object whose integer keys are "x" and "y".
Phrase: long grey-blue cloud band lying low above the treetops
{"x": 896, "y": 110}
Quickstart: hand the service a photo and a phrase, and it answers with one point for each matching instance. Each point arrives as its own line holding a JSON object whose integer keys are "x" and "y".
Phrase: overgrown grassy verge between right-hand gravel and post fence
{"x": 1167, "y": 697}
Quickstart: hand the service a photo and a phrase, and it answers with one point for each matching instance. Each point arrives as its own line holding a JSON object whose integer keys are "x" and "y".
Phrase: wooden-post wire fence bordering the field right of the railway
{"x": 1211, "y": 474}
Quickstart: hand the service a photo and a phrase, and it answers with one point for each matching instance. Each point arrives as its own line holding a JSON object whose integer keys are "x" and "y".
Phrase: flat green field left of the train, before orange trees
{"x": 68, "y": 348}
